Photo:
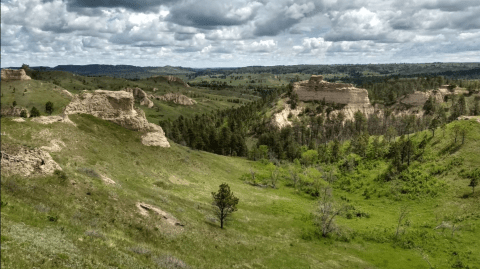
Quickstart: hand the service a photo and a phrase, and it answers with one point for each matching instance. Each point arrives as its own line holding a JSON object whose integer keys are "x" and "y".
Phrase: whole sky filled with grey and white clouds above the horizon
{"x": 231, "y": 33}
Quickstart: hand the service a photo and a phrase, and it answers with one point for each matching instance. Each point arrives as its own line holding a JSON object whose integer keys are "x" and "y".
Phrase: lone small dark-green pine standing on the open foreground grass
{"x": 224, "y": 202}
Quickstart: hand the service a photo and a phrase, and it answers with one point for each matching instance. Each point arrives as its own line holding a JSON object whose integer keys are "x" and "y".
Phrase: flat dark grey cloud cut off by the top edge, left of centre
{"x": 137, "y": 5}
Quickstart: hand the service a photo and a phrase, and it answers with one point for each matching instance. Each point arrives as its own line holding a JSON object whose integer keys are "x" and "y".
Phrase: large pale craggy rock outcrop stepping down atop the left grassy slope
{"x": 117, "y": 107}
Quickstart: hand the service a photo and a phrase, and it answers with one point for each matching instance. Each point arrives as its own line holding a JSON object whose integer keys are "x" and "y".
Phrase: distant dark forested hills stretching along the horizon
{"x": 352, "y": 73}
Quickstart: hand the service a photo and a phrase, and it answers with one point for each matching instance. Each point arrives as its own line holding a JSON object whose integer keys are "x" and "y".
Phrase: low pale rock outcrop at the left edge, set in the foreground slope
{"x": 27, "y": 162}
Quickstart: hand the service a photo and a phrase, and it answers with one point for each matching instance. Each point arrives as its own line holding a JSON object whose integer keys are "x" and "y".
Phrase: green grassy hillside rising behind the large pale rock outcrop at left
{"x": 47, "y": 85}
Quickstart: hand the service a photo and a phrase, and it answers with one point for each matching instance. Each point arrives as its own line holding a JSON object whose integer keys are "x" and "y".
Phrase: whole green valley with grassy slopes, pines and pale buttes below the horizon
{"x": 80, "y": 187}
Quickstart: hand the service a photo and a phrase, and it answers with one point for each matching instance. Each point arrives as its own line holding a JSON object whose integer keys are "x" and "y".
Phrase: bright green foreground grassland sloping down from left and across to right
{"x": 83, "y": 222}
